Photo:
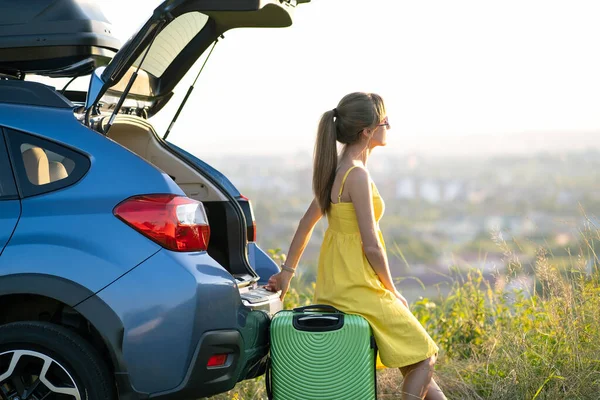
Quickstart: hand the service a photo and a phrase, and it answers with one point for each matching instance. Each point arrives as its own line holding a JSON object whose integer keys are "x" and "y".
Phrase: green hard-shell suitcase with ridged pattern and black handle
{"x": 320, "y": 353}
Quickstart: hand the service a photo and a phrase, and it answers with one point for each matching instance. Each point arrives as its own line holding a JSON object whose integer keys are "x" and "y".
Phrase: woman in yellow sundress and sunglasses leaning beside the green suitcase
{"x": 353, "y": 273}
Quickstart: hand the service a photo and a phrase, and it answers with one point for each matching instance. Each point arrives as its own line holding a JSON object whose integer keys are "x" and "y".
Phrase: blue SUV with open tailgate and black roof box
{"x": 128, "y": 267}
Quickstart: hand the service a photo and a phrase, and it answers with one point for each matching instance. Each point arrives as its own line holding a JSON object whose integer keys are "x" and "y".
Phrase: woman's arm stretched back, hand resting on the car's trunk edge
{"x": 281, "y": 280}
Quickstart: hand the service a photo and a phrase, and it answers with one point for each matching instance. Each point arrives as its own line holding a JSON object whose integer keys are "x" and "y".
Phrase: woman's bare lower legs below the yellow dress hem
{"x": 418, "y": 383}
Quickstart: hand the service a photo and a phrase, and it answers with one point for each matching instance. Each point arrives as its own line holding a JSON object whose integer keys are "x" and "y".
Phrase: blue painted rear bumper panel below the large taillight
{"x": 166, "y": 304}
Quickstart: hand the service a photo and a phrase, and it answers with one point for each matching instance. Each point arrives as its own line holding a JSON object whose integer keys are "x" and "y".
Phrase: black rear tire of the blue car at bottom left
{"x": 33, "y": 343}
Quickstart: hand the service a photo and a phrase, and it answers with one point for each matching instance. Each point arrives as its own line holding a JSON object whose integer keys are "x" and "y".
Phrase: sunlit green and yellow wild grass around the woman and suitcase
{"x": 536, "y": 344}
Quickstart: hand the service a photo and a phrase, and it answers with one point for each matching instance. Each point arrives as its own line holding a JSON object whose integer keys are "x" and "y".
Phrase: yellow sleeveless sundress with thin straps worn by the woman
{"x": 346, "y": 280}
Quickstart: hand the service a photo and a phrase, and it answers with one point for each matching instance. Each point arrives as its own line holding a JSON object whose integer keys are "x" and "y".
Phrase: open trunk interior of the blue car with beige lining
{"x": 137, "y": 135}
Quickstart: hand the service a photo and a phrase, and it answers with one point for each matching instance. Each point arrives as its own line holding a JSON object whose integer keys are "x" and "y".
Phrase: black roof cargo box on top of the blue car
{"x": 60, "y": 38}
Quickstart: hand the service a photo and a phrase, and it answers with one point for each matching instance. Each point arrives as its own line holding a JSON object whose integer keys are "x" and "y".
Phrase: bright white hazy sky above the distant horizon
{"x": 445, "y": 68}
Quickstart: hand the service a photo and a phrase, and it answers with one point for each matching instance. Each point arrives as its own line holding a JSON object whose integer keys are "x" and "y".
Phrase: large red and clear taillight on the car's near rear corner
{"x": 176, "y": 223}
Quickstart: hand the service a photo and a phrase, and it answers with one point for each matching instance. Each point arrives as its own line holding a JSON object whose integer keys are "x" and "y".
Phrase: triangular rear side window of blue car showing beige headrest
{"x": 43, "y": 166}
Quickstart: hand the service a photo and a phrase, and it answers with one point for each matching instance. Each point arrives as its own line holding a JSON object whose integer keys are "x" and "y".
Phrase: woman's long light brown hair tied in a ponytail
{"x": 344, "y": 124}
